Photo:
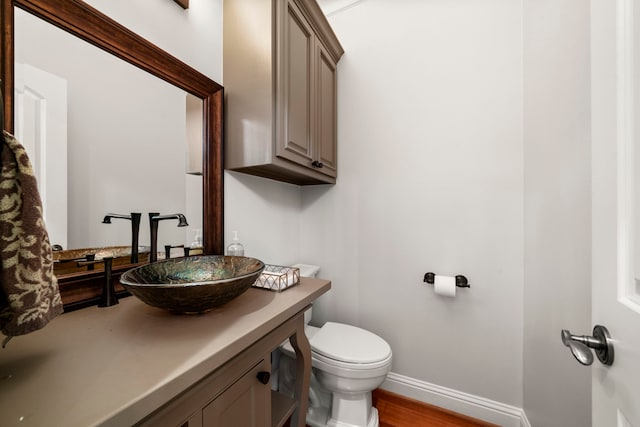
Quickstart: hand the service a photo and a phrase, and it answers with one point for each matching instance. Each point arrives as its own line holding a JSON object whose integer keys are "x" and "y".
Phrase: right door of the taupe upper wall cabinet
{"x": 326, "y": 108}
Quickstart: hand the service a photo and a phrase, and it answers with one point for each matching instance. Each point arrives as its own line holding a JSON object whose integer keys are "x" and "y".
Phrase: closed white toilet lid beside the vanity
{"x": 350, "y": 344}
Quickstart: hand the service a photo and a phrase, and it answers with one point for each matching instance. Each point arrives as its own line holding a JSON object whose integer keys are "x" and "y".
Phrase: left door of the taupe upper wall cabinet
{"x": 296, "y": 106}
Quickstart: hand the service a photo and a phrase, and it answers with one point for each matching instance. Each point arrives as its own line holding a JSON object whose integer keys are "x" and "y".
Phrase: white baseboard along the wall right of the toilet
{"x": 457, "y": 401}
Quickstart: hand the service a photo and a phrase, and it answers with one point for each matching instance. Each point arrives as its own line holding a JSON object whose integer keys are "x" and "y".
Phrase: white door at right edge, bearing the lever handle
{"x": 615, "y": 74}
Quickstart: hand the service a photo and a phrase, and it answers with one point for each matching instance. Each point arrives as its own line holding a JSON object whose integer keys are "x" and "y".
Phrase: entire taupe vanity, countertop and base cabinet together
{"x": 142, "y": 366}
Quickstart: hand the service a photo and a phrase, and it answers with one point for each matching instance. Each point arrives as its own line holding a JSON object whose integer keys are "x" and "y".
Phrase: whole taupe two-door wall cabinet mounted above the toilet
{"x": 279, "y": 66}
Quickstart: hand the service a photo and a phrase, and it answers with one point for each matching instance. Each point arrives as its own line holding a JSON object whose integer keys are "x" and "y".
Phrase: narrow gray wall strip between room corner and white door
{"x": 557, "y": 251}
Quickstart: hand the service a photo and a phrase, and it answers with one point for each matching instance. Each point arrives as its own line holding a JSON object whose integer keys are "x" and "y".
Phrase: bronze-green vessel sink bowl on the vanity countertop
{"x": 194, "y": 284}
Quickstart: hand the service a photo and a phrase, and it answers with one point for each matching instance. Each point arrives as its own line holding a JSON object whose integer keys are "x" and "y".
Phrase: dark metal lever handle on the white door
{"x": 581, "y": 345}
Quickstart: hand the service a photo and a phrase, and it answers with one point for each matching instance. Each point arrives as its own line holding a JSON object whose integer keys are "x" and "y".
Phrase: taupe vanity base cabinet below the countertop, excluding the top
{"x": 239, "y": 392}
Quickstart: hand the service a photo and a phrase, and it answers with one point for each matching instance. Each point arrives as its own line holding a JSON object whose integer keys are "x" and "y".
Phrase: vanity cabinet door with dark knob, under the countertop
{"x": 245, "y": 404}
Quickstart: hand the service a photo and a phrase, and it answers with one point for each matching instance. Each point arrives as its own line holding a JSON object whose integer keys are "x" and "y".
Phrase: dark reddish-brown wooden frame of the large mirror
{"x": 88, "y": 24}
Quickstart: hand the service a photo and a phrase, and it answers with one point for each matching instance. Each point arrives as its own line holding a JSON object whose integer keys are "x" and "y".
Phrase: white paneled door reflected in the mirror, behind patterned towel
{"x": 41, "y": 127}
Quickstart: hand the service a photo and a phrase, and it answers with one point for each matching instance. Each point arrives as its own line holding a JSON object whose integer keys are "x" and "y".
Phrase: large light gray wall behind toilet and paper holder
{"x": 431, "y": 167}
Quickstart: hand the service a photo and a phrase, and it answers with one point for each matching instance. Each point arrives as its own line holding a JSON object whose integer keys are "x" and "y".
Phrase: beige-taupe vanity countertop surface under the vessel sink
{"x": 113, "y": 366}
